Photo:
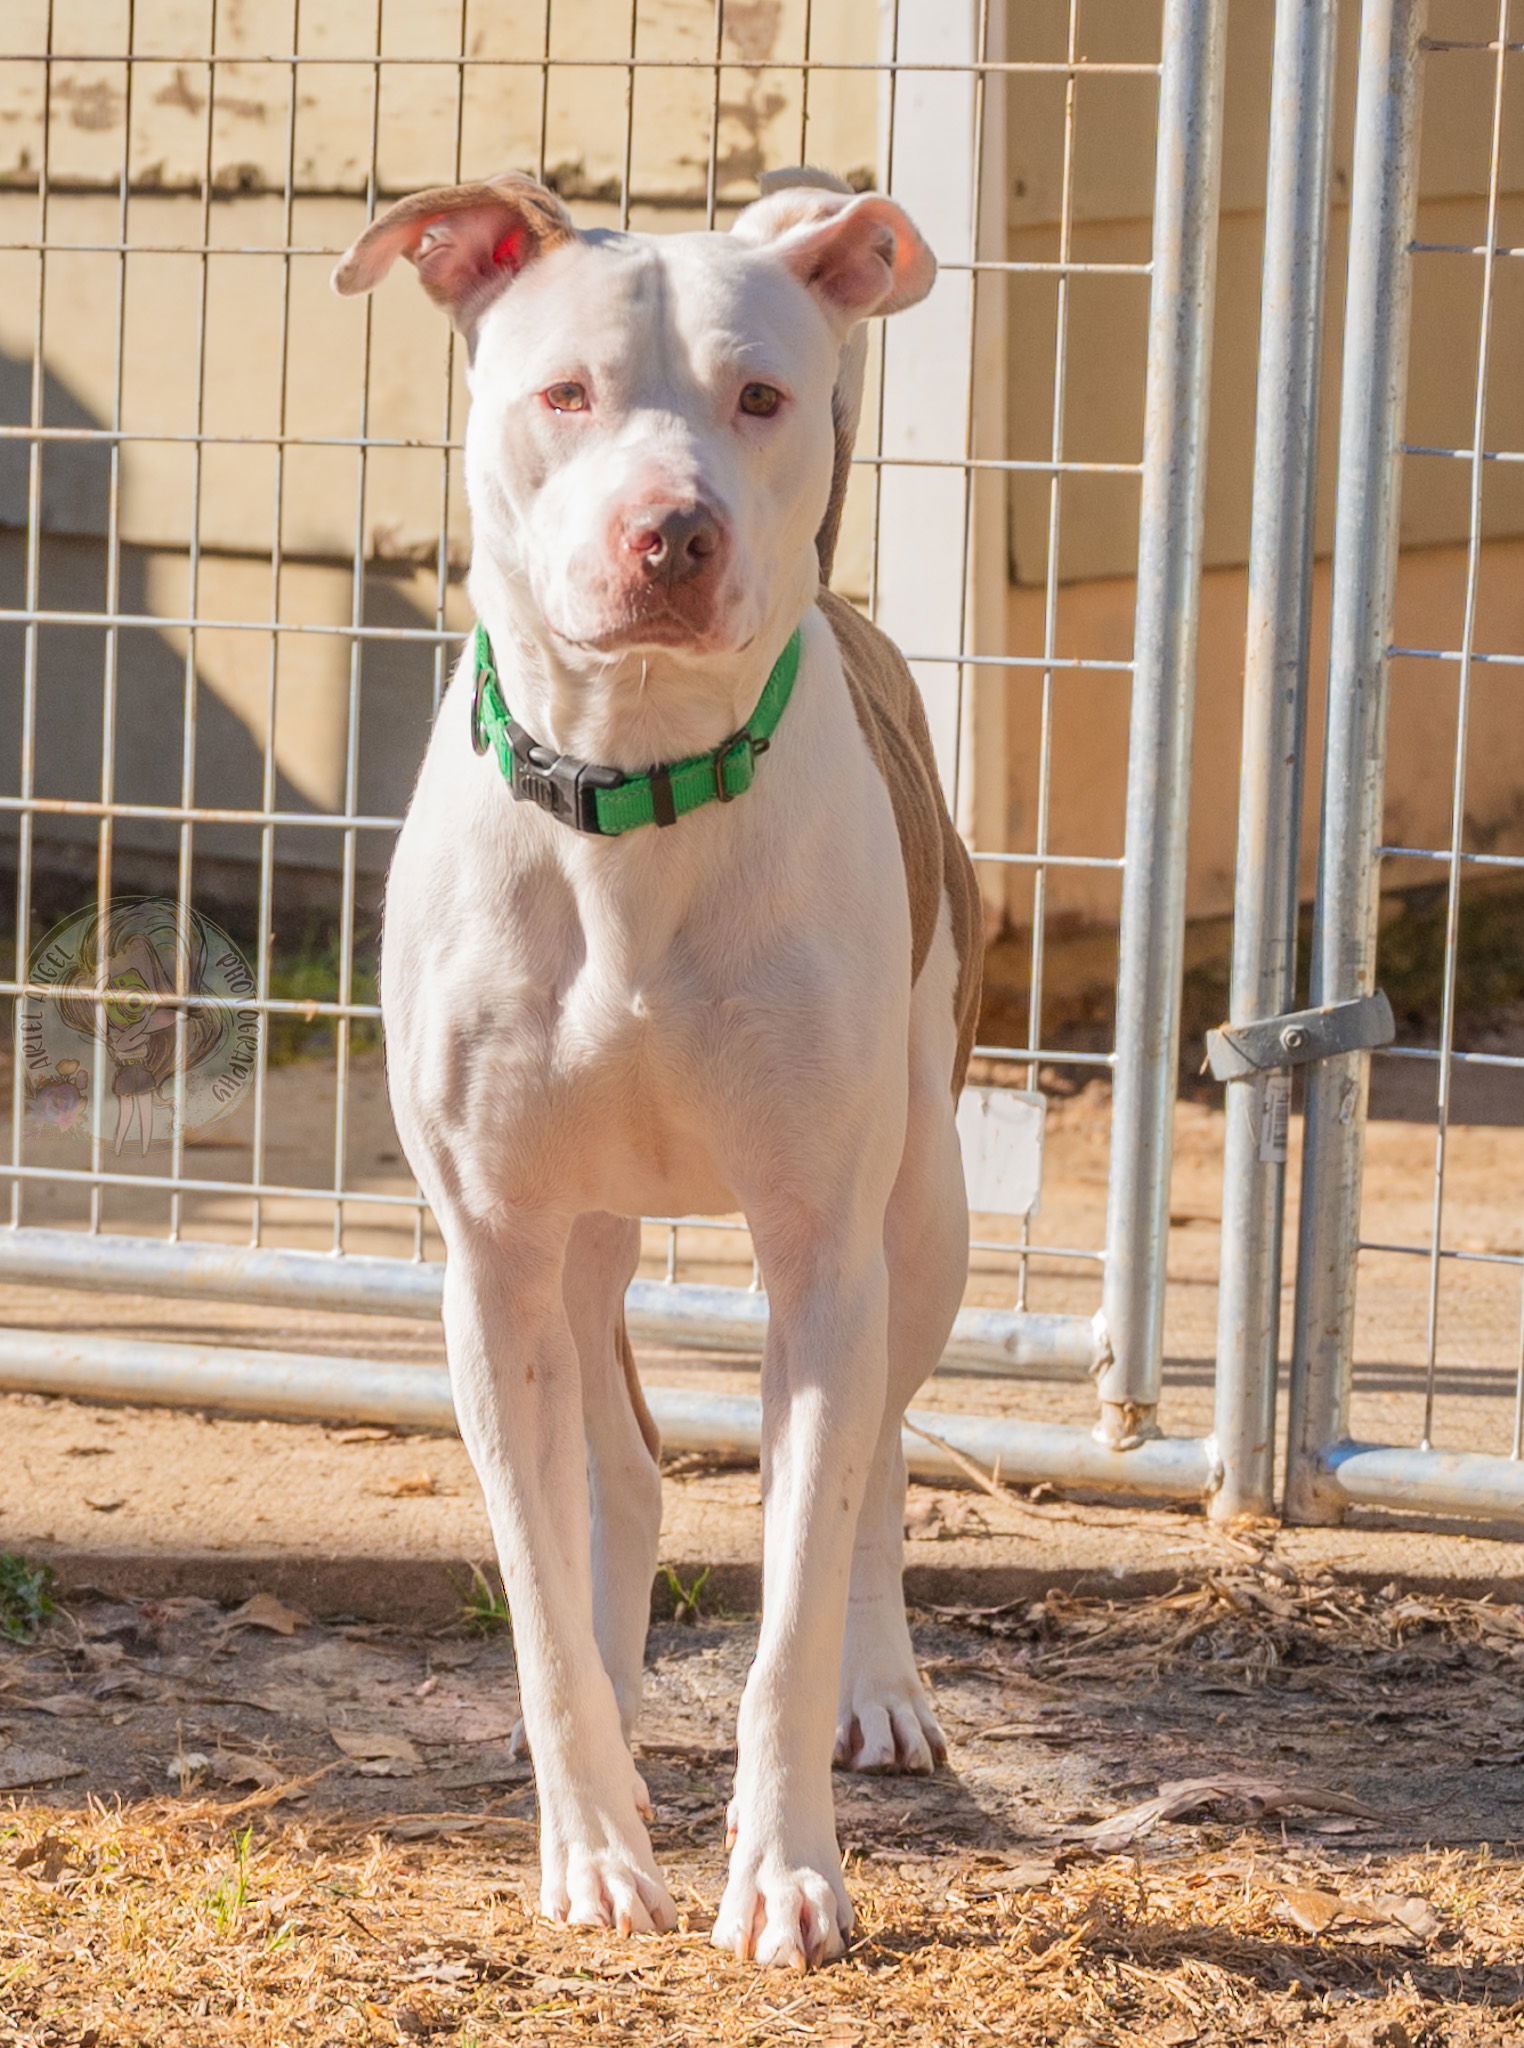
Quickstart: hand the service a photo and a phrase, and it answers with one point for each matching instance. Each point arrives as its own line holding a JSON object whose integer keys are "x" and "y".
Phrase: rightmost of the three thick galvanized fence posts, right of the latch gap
{"x": 1365, "y": 566}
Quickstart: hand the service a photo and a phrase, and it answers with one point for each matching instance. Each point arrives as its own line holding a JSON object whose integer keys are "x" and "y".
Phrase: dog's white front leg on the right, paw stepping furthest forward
{"x": 822, "y": 1400}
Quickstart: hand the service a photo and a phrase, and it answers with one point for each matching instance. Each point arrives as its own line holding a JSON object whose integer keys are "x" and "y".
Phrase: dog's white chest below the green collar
{"x": 632, "y": 1025}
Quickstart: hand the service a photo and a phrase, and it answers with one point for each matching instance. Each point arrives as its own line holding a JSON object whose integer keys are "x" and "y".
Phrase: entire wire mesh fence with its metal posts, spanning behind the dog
{"x": 232, "y": 554}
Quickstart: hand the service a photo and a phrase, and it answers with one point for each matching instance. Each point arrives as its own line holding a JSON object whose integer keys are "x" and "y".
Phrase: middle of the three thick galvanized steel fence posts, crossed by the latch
{"x": 1275, "y": 722}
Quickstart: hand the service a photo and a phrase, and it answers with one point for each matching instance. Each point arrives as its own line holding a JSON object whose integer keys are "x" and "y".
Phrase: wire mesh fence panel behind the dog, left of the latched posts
{"x": 237, "y": 544}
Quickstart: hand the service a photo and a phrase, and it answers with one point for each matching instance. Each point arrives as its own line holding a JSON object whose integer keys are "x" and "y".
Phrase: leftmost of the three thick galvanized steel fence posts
{"x": 1165, "y": 675}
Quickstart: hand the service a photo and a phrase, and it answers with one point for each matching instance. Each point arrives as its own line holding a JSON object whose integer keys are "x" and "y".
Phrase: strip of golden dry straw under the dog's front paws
{"x": 175, "y": 1926}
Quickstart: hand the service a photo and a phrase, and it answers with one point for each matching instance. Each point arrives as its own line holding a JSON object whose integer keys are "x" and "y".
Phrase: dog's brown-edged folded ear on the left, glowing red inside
{"x": 466, "y": 241}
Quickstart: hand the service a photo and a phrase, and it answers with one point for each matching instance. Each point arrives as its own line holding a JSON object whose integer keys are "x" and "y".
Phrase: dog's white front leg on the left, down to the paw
{"x": 519, "y": 1404}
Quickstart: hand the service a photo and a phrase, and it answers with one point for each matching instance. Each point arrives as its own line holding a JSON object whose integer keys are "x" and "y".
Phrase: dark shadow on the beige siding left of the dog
{"x": 146, "y": 730}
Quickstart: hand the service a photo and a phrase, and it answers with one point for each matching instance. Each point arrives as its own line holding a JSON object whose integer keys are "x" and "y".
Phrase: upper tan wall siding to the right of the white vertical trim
{"x": 1111, "y": 206}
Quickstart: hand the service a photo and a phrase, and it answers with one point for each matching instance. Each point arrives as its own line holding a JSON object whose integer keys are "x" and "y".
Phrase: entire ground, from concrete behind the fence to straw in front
{"x": 222, "y": 1832}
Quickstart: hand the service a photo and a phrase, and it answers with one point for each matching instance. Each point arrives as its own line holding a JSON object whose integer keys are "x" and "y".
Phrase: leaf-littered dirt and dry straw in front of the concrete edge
{"x": 1267, "y": 1805}
